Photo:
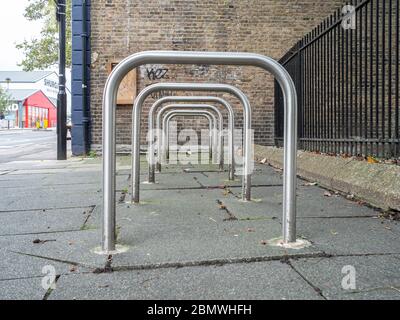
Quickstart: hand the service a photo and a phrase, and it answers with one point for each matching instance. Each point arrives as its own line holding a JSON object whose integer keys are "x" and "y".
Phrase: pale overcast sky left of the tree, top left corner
{"x": 14, "y": 28}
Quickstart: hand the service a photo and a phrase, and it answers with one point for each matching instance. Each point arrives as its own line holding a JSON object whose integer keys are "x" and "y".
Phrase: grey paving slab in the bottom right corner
{"x": 376, "y": 277}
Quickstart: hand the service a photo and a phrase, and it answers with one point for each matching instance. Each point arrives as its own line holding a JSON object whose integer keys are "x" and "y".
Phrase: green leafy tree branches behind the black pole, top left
{"x": 42, "y": 52}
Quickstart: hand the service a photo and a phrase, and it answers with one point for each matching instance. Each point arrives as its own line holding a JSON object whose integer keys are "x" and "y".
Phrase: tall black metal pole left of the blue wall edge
{"x": 62, "y": 96}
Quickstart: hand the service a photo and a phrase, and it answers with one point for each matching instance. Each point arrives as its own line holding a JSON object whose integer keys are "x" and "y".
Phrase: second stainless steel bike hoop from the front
{"x": 138, "y": 105}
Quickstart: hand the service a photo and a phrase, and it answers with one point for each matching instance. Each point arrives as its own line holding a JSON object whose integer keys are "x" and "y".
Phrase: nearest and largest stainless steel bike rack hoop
{"x": 211, "y": 58}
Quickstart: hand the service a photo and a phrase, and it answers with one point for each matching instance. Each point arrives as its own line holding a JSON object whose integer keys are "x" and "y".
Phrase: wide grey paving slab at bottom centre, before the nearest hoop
{"x": 268, "y": 280}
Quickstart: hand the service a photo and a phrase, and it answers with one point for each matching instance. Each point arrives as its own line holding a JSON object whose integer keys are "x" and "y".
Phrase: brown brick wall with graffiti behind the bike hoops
{"x": 270, "y": 27}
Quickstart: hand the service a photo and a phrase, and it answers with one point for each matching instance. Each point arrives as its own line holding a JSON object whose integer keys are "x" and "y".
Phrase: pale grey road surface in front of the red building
{"x": 22, "y": 145}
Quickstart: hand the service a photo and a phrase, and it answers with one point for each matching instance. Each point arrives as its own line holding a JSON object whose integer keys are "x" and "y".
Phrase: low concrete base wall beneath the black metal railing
{"x": 376, "y": 184}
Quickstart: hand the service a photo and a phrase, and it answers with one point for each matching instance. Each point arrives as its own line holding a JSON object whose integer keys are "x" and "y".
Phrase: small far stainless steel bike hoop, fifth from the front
{"x": 188, "y": 112}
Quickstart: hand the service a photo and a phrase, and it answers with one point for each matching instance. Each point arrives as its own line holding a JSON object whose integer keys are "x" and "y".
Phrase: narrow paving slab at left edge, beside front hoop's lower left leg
{"x": 28, "y": 222}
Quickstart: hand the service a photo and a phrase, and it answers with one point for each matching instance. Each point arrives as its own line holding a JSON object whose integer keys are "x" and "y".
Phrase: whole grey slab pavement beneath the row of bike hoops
{"x": 190, "y": 237}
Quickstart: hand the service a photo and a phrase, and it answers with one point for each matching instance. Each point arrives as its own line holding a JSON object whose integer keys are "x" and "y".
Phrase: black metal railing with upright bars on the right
{"x": 347, "y": 83}
